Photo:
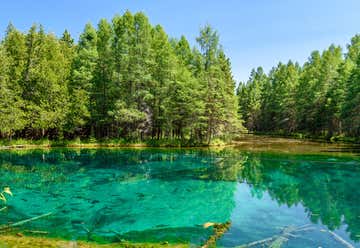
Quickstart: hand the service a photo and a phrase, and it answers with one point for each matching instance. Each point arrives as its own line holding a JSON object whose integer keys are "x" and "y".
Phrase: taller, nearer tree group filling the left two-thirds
{"x": 125, "y": 78}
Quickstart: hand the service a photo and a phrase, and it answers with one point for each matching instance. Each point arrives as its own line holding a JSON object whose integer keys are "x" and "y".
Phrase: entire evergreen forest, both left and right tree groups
{"x": 127, "y": 79}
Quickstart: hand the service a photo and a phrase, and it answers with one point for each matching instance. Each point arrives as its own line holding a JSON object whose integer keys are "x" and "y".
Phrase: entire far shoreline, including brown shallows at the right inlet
{"x": 246, "y": 140}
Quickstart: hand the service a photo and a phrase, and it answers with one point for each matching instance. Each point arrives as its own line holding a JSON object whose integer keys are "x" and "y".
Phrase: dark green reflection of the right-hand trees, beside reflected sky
{"x": 328, "y": 191}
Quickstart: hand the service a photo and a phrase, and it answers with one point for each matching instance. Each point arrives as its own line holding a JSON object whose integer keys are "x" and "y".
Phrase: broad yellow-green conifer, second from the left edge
{"x": 44, "y": 87}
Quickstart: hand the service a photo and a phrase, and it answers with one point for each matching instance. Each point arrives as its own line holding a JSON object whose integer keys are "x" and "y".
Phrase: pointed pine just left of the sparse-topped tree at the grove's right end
{"x": 185, "y": 103}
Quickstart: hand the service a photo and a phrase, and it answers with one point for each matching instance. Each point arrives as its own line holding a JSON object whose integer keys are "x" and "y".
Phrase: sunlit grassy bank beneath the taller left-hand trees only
{"x": 92, "y": 143}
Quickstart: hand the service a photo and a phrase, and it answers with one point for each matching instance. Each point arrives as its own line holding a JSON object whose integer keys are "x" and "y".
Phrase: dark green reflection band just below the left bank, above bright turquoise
{"x": 52, "y": 165}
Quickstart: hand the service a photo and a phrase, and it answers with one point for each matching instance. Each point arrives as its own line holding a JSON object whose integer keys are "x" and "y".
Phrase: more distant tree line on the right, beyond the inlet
{"x": 321, "y": 98}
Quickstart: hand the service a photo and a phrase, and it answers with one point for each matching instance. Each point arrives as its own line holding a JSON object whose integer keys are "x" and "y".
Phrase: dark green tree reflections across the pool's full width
{"x": 329, "y": 191}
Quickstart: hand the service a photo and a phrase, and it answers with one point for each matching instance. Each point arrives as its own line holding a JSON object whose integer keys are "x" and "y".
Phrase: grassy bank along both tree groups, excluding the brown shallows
{"x": 175, "y": 143}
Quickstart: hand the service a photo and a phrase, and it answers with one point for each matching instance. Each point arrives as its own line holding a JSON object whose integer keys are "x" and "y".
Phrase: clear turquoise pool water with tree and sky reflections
{"x": 149, "y": 195}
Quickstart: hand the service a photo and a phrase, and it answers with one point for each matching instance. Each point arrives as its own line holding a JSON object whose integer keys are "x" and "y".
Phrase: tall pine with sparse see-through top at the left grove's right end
{"x": 216, "y": 78}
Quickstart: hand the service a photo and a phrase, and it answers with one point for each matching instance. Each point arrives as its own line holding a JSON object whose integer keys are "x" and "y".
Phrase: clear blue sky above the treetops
{"x": 253, "y": 32}
